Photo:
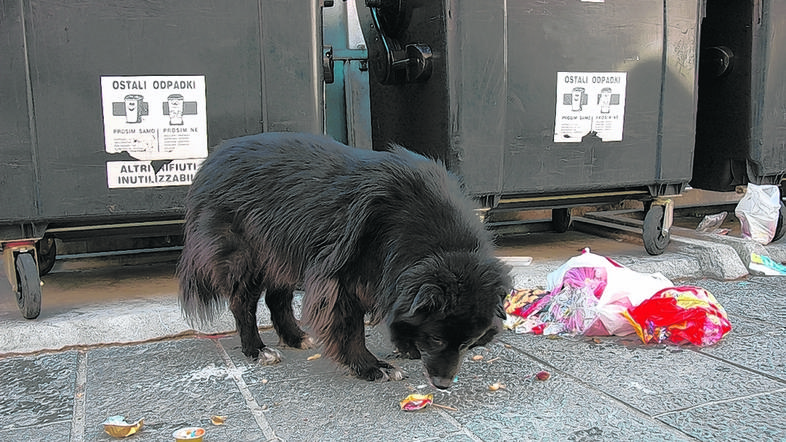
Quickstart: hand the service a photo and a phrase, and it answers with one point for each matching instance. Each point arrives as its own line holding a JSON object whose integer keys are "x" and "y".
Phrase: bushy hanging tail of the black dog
{"x": 201, "y": 296}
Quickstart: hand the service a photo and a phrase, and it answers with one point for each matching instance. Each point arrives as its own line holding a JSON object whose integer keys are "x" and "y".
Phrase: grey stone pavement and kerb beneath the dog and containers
{"x": 110, "y": 341}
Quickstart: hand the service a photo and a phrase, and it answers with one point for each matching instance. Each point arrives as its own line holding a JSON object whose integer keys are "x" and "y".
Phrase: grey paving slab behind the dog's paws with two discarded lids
{"x": 172, "y": 385}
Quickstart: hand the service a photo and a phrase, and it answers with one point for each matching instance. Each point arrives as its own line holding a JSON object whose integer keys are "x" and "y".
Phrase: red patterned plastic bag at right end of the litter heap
{"x": 681, "y": 315}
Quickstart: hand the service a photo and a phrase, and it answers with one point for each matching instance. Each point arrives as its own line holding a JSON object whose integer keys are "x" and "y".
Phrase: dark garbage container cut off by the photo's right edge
{"x": 741, "y": 119}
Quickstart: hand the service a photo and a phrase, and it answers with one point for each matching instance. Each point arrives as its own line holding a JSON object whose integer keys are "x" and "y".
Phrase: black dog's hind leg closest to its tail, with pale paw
{"x": 243, "y": 304}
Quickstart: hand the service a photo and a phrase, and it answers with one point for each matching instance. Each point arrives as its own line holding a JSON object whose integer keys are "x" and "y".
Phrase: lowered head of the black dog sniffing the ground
{"x": 446, "y": 305}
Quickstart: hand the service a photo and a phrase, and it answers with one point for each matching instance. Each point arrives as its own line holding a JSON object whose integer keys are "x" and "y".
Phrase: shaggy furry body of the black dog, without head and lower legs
{"x": 280, "y": 210}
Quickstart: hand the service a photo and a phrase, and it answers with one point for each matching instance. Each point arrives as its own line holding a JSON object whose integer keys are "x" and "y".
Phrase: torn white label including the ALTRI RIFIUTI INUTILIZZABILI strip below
{"x": 160, "y": 121}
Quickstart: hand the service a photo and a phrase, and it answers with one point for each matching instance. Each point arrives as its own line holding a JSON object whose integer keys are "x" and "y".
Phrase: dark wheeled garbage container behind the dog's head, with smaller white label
{"x": 542, "y": 104}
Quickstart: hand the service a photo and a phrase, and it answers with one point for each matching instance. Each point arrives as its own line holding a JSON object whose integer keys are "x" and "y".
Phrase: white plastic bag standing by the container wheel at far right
{"x": 758, "y": 212}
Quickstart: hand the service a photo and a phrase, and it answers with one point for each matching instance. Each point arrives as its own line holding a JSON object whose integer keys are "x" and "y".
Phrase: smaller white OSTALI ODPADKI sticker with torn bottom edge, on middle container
{"x": 590, "y": 103}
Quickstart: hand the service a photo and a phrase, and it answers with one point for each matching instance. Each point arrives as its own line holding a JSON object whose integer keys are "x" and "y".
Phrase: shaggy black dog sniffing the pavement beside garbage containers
{"x": 384, "y": 233}
